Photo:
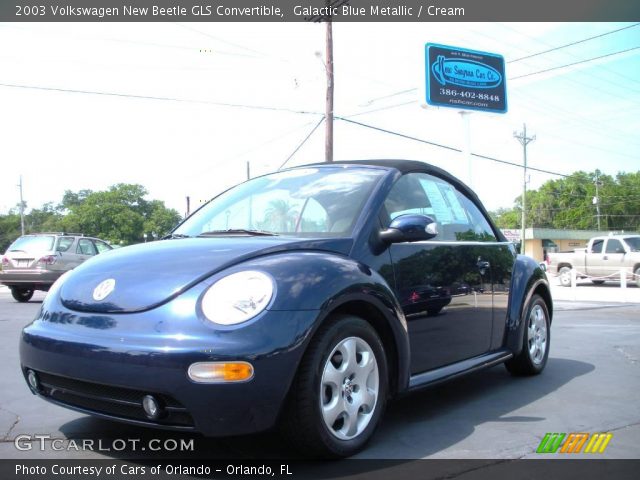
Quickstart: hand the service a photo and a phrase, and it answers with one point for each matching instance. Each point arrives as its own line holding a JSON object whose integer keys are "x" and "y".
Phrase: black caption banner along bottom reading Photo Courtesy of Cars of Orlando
{"x": 343, "y": 469}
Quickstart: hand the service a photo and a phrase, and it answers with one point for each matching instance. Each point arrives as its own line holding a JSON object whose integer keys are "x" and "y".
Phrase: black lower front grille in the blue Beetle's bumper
{"x": 125, "y": 403}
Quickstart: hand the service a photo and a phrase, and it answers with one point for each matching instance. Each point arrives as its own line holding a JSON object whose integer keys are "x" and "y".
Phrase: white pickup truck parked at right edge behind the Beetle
{"x": 601, "y": 260}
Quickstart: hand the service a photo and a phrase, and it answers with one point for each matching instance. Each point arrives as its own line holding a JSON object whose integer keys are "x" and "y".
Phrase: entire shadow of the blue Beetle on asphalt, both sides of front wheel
{"x": 415, "y": 426}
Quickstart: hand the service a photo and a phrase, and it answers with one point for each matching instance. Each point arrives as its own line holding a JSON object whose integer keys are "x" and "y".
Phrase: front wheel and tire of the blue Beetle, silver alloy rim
{"x": 336, "y": 399}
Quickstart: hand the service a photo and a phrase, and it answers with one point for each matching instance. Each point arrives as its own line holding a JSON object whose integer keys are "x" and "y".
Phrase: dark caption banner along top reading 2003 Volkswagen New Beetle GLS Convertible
{"x": 316, "y": 10}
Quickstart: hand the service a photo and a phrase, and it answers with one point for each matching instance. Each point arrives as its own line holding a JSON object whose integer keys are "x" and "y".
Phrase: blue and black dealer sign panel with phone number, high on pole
{"x": 465, "y": 79}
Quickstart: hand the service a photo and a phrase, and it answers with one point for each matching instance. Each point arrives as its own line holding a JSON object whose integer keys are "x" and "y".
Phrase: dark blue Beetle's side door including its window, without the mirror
{"x": 444, "y": 285}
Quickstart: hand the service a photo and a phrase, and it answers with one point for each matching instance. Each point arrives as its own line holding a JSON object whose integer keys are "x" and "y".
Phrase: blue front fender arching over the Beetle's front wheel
{"x": 333, "y": 284}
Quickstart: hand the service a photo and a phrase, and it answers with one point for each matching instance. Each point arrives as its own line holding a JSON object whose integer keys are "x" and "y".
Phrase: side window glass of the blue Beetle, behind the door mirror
{"x": 457, "y": 217}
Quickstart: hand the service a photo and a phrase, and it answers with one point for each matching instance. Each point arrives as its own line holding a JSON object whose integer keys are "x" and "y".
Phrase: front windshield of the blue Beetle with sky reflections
{"x": 303, "y": 202}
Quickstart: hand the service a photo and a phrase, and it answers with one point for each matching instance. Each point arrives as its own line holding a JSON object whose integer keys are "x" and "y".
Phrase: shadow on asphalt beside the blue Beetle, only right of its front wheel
{"x": 427, "y": 422}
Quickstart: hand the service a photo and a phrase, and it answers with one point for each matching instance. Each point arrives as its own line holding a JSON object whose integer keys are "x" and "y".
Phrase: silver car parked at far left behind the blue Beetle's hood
{"x": 34, "y": 262}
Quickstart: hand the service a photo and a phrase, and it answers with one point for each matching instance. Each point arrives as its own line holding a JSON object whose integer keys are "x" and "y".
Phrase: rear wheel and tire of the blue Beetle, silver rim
{"x": 536, "y": 340}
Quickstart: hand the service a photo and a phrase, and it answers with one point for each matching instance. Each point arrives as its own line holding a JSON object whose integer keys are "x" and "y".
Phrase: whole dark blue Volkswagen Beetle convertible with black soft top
{"x": 305, "y": 299}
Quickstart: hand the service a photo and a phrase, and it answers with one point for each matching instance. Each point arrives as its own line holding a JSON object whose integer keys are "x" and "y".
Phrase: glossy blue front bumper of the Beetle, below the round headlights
{"x": 104, "y": 364}
